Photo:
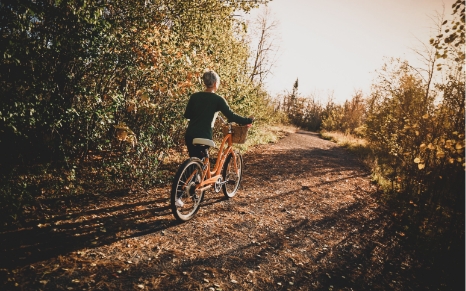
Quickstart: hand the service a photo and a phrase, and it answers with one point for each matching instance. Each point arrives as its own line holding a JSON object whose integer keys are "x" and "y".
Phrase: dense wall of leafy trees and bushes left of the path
{"x": 101, "y": 87}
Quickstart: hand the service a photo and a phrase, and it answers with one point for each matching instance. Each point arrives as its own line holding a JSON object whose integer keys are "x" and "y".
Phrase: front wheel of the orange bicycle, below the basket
{"x": 232, "y": 174}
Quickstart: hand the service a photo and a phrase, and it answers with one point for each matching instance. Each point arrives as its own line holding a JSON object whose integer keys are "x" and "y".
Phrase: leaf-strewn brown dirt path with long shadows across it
{"x": 306, "y": 218}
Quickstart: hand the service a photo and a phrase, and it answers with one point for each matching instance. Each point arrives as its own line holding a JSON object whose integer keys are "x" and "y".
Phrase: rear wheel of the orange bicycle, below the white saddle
{"x": 184, "y": 200}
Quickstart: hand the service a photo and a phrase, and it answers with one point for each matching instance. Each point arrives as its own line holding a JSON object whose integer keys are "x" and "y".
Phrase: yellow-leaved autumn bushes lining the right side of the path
{"x": 415, "y": 127}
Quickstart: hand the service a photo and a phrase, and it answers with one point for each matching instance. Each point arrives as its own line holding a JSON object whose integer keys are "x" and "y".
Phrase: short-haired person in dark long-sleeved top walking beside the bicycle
{"x": 202, "y": 110}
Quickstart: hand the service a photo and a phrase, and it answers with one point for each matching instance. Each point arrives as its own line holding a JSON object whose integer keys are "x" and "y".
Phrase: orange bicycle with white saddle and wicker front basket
{"x": 194, "y": 175}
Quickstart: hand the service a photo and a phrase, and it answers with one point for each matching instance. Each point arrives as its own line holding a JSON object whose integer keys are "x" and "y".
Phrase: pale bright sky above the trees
{"x": 334, "y": 47}
